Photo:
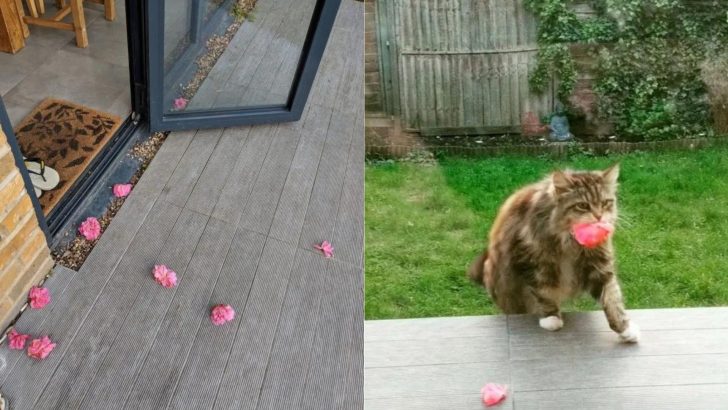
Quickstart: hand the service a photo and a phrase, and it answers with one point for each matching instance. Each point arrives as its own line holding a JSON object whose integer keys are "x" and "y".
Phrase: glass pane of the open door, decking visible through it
{"x": 232, "y": 54}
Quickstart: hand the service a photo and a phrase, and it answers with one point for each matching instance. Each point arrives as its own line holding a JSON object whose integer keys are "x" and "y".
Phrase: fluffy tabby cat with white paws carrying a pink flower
{"x": 533, "y": 263}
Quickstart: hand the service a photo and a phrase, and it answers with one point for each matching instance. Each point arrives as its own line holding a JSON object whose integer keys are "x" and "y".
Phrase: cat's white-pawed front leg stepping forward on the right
{"x": 609, "y": 294}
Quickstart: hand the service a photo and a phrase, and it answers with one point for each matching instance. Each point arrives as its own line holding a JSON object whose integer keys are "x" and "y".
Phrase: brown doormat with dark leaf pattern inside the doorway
{"x": 67, "y": 136}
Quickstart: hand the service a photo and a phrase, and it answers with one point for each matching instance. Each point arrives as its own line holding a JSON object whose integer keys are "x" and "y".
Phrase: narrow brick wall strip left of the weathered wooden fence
{"x": 372, "y": 79}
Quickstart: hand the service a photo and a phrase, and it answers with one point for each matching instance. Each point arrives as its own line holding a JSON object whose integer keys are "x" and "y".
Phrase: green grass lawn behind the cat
{"x": 425, "y": 223}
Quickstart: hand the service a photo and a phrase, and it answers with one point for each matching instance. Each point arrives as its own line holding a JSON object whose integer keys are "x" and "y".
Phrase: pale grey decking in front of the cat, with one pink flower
{"x": 681, "y": 362}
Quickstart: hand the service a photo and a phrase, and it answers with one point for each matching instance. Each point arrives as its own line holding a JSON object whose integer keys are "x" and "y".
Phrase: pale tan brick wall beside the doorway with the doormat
{"x": 24, "y": 255}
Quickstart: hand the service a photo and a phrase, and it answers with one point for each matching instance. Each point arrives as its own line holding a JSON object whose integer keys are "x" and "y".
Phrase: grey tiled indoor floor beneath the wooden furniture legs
{"x": 51, "y": 65}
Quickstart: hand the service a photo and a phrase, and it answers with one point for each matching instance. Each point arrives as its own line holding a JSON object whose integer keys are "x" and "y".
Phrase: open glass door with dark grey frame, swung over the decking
{"x": 216, "y": 63}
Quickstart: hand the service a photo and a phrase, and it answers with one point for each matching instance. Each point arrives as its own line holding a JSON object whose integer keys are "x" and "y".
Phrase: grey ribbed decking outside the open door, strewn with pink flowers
{"x": 235, "y": 213}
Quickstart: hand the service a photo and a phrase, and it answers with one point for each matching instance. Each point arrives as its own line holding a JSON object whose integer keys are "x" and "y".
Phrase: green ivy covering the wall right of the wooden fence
{"x": 648, "y": 70}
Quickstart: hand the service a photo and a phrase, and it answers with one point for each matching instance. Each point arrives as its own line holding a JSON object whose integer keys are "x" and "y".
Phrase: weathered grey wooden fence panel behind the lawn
{"x": 458, "y": 66}
